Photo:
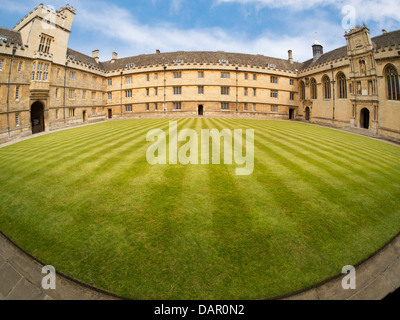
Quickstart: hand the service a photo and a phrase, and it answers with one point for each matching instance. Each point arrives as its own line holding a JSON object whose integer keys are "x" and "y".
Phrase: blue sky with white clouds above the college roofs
{"x": 268, "y": 27}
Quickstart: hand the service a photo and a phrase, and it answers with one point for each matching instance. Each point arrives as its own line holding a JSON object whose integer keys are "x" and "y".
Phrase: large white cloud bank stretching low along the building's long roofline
{"x": 124, "y": 34}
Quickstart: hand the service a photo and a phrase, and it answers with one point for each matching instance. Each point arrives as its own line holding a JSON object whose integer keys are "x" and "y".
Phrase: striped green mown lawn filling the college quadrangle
{"x": 86, "y": 201}
